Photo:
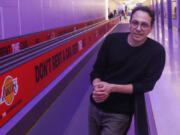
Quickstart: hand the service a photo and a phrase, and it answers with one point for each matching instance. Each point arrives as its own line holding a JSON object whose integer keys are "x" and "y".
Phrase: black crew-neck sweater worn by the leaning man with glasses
{"x": 119, "y": 63}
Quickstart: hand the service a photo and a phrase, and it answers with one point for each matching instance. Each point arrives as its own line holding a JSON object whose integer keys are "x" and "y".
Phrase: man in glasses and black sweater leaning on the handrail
{"x": 127, "y": 64}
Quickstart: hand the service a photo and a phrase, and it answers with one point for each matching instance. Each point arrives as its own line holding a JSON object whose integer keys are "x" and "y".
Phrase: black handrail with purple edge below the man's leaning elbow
{"x": 144, "y": 119}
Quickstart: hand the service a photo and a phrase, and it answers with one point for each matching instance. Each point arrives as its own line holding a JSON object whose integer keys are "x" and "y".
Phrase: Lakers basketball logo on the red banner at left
{"x": 9, "y": 90}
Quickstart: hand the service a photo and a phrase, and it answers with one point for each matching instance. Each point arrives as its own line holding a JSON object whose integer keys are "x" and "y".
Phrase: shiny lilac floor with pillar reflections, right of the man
{"x": 165, "y": 98}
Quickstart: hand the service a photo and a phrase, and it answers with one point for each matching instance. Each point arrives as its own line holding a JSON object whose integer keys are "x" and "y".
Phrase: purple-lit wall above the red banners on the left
{"x": 19, "y": 17}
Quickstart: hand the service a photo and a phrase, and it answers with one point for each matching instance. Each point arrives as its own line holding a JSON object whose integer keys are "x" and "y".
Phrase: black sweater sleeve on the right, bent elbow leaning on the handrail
{"x": 152, "y": 74}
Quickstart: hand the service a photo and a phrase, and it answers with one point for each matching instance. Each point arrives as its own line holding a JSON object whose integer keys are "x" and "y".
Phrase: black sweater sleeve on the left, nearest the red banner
{"x": 101, "y": 61}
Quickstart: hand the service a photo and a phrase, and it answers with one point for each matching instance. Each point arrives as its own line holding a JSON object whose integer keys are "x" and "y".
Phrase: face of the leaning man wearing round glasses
{"x": 140, "y": 26}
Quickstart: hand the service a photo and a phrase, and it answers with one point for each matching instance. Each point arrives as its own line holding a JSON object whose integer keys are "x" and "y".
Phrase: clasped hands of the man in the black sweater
{"x": 101, "y": 91}
